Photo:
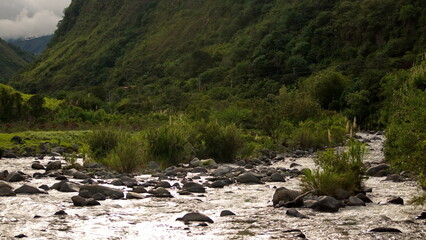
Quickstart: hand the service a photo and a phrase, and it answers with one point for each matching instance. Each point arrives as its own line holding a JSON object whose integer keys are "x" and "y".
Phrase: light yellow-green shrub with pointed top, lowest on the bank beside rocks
{"x": 127, "y": 156}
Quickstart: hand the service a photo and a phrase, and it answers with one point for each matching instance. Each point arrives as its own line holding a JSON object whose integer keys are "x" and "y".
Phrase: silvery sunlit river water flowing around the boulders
{"x": 154, "y": 218}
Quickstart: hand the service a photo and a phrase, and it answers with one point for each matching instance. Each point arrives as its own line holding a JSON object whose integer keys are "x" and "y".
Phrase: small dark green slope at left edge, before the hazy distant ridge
{"x": 12, "y": 59}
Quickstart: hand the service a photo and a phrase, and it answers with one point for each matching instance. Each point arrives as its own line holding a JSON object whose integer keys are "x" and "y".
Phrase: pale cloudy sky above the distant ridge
{"x": 29, "y": 18}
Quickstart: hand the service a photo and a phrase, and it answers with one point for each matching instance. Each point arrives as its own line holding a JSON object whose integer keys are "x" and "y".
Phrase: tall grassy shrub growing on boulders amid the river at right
{"x": 339, "y": 170}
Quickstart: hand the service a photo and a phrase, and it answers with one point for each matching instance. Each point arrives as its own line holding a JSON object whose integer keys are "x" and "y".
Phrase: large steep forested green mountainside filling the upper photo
{"x": 165, "y": 52}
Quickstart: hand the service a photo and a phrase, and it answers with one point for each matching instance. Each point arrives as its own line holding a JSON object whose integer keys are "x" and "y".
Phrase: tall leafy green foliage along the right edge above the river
{"x": 405, "y": 146}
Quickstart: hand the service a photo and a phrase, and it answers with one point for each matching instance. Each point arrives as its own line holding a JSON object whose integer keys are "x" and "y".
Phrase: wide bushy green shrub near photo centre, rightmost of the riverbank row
{"x": 221, "y": 143}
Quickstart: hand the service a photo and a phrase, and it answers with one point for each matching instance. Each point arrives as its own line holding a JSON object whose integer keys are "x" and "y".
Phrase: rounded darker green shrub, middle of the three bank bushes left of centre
{"x": 167, "y": 145}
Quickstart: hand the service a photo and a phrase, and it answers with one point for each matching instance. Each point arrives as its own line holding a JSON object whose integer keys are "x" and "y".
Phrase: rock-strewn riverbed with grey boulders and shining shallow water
{"x": 245, "y": 189}
